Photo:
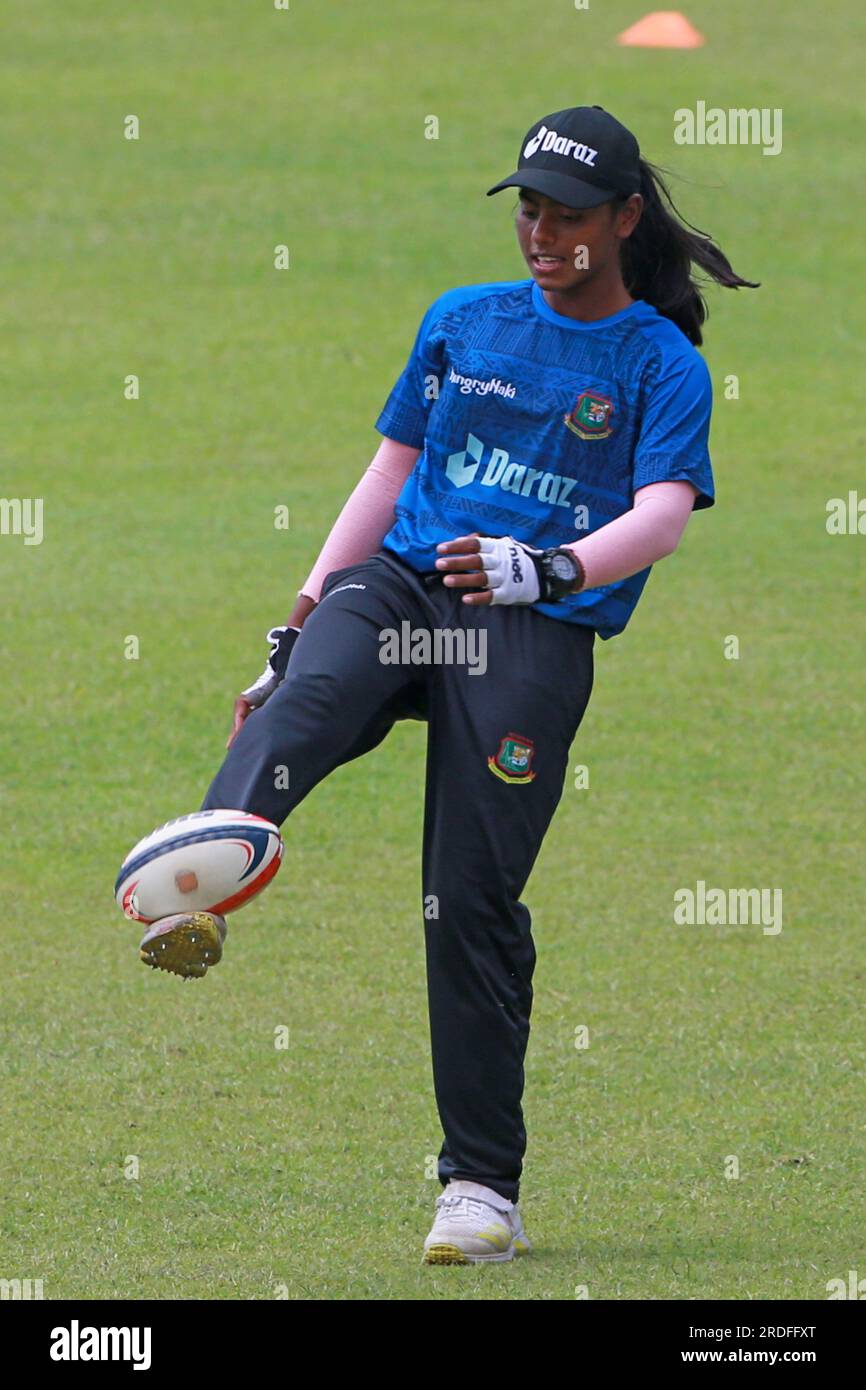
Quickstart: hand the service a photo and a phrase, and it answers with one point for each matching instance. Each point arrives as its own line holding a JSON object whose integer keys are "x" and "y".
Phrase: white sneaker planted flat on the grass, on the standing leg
{"x": 475, "y": 1225}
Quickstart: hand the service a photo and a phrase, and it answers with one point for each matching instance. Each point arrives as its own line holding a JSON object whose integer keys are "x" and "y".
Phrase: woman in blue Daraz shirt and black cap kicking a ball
{"x": 544, "y": 447}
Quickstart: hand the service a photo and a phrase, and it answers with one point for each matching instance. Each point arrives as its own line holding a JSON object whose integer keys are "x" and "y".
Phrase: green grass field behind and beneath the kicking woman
{"x": 305, "y": 1170}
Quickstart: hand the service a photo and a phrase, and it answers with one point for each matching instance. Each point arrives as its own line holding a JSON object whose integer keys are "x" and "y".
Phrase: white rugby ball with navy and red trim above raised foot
{"x": 213, "y": 861}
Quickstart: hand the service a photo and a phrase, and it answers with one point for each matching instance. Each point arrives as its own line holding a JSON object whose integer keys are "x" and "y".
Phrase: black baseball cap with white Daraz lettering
{"x": 580, "y": 158}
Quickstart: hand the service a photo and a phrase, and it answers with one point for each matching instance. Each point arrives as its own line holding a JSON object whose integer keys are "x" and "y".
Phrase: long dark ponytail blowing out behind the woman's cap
{"x": 660, "y": 256}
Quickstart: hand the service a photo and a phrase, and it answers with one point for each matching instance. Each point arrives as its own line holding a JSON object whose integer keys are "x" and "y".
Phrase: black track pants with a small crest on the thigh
{"x": 497, "y": 755}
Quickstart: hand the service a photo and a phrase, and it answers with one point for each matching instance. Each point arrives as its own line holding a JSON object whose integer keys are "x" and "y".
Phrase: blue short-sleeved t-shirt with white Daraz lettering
{"x": 543, "y": 427}
